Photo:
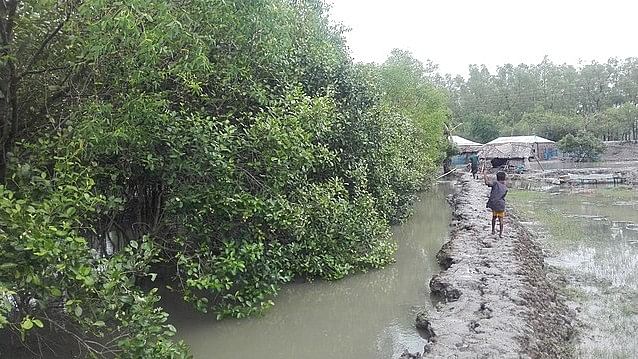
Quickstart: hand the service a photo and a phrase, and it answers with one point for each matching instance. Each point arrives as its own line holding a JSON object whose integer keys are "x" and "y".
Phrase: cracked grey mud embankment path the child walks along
{"x": 496, "y": 298}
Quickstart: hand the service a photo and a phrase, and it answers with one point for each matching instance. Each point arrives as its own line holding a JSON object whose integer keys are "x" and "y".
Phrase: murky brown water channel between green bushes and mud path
{"x": 369, "y": 315}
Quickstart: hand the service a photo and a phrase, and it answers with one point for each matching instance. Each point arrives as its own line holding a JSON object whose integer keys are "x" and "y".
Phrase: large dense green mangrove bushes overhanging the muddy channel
{"x": 222, "y": 147}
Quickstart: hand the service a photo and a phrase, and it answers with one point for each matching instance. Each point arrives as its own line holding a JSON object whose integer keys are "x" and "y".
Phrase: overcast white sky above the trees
{"x": 456, "y": 33}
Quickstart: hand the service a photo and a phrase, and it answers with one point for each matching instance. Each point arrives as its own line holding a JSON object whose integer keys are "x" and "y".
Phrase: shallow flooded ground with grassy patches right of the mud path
{"x": 592, "y": 237}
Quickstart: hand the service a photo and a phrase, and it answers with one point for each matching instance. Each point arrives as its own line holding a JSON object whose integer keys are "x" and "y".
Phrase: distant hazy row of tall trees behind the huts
{"x": 548, "y": 100}
